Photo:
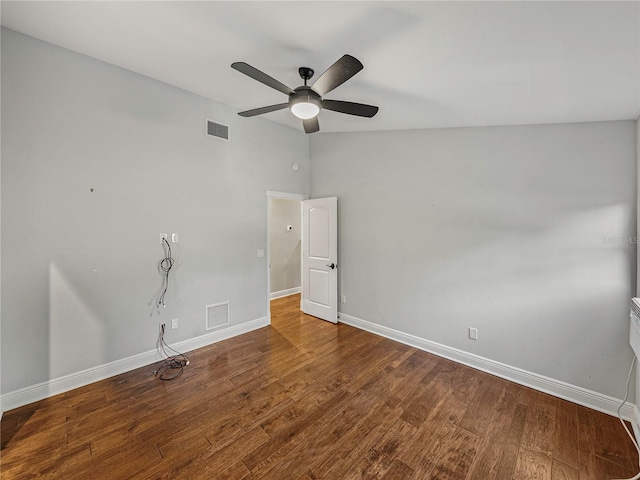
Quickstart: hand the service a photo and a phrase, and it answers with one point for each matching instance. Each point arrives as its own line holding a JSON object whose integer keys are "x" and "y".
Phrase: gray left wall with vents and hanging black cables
{"x": 80, "y": 268}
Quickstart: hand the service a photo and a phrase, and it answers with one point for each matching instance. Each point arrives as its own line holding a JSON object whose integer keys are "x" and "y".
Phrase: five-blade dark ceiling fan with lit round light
{"x": 305, "y": 102}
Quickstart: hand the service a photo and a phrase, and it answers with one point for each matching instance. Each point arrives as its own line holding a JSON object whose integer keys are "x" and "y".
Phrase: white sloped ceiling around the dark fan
{"x": 427, "y": 64}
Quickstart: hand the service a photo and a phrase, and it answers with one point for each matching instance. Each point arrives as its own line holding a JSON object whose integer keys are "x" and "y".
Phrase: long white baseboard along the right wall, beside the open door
{"x": 557, "y": 388}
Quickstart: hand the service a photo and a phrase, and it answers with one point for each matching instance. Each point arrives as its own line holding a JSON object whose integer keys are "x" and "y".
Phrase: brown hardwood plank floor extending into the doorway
{"x": 305, "y": 399}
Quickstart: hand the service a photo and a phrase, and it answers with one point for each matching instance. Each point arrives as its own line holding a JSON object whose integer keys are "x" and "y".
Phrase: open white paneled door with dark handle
{"x": 319, "y": 258}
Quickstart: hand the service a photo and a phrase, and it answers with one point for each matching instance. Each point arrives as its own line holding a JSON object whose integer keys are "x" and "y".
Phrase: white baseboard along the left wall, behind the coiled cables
{"x": 33, "y": 393}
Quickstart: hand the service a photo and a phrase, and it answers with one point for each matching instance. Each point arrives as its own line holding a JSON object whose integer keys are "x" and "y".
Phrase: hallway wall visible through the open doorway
{"x": 285, "y": 245}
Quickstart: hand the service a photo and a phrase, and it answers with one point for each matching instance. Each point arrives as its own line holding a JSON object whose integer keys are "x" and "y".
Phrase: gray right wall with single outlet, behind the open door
{"x": 520, "y": 232}
